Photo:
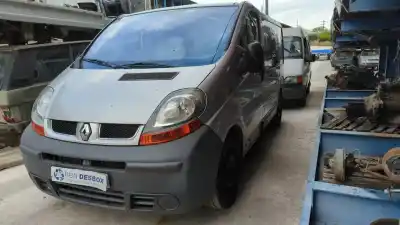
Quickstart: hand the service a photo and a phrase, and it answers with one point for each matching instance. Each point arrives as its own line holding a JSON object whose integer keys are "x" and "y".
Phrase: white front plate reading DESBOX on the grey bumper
{"x": 79, "y": 177}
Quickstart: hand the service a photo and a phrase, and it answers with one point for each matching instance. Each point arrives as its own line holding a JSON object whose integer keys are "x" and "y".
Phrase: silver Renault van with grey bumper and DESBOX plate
{"x": 159, "y": 110}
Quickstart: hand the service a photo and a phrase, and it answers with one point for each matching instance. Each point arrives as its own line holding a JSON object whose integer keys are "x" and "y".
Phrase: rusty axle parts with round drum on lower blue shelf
{"x": 362, "y": 171}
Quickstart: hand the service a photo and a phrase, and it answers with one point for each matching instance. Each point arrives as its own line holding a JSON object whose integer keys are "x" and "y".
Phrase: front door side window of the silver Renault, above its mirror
{"x": 251, "y": 30}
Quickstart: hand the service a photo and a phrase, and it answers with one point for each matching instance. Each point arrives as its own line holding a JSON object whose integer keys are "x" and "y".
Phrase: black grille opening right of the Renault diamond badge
{"x": 108, "y": 130}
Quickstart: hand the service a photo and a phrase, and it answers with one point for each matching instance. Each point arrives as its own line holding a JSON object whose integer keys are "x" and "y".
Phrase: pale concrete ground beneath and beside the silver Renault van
{"x": 274, "y": 182}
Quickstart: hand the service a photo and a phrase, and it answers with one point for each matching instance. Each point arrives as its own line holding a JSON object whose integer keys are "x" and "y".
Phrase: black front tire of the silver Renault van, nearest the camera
{"x": 228, "y": 177}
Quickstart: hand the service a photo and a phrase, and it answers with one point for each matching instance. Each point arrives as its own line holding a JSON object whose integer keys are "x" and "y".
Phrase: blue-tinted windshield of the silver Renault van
{"x": 170, "y": 38}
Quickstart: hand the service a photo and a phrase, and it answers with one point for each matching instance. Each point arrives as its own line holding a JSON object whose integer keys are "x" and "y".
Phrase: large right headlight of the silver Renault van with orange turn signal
{"x": 176, "y": 117}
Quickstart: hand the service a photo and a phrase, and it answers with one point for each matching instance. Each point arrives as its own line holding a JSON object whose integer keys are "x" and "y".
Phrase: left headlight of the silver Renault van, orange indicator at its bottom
{"x": 40, "y": 108}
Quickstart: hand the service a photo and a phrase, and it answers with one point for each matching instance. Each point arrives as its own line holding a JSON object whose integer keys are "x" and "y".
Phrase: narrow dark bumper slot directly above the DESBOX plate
{"x": 81, "y": 162}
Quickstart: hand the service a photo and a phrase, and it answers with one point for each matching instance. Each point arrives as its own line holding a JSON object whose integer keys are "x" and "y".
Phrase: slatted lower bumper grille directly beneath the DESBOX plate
{"x": 109, "y": 199}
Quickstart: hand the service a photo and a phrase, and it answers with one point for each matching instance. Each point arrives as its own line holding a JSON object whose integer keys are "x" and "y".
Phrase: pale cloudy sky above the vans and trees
{"x": 308, "y": 13}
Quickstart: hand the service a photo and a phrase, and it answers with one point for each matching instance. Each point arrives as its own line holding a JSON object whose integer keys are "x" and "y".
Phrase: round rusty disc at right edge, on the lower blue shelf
{"x": 391, "y": 164}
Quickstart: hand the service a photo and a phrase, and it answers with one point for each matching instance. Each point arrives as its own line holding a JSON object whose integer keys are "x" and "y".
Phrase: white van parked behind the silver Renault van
{"x": 297, "y": 67}
